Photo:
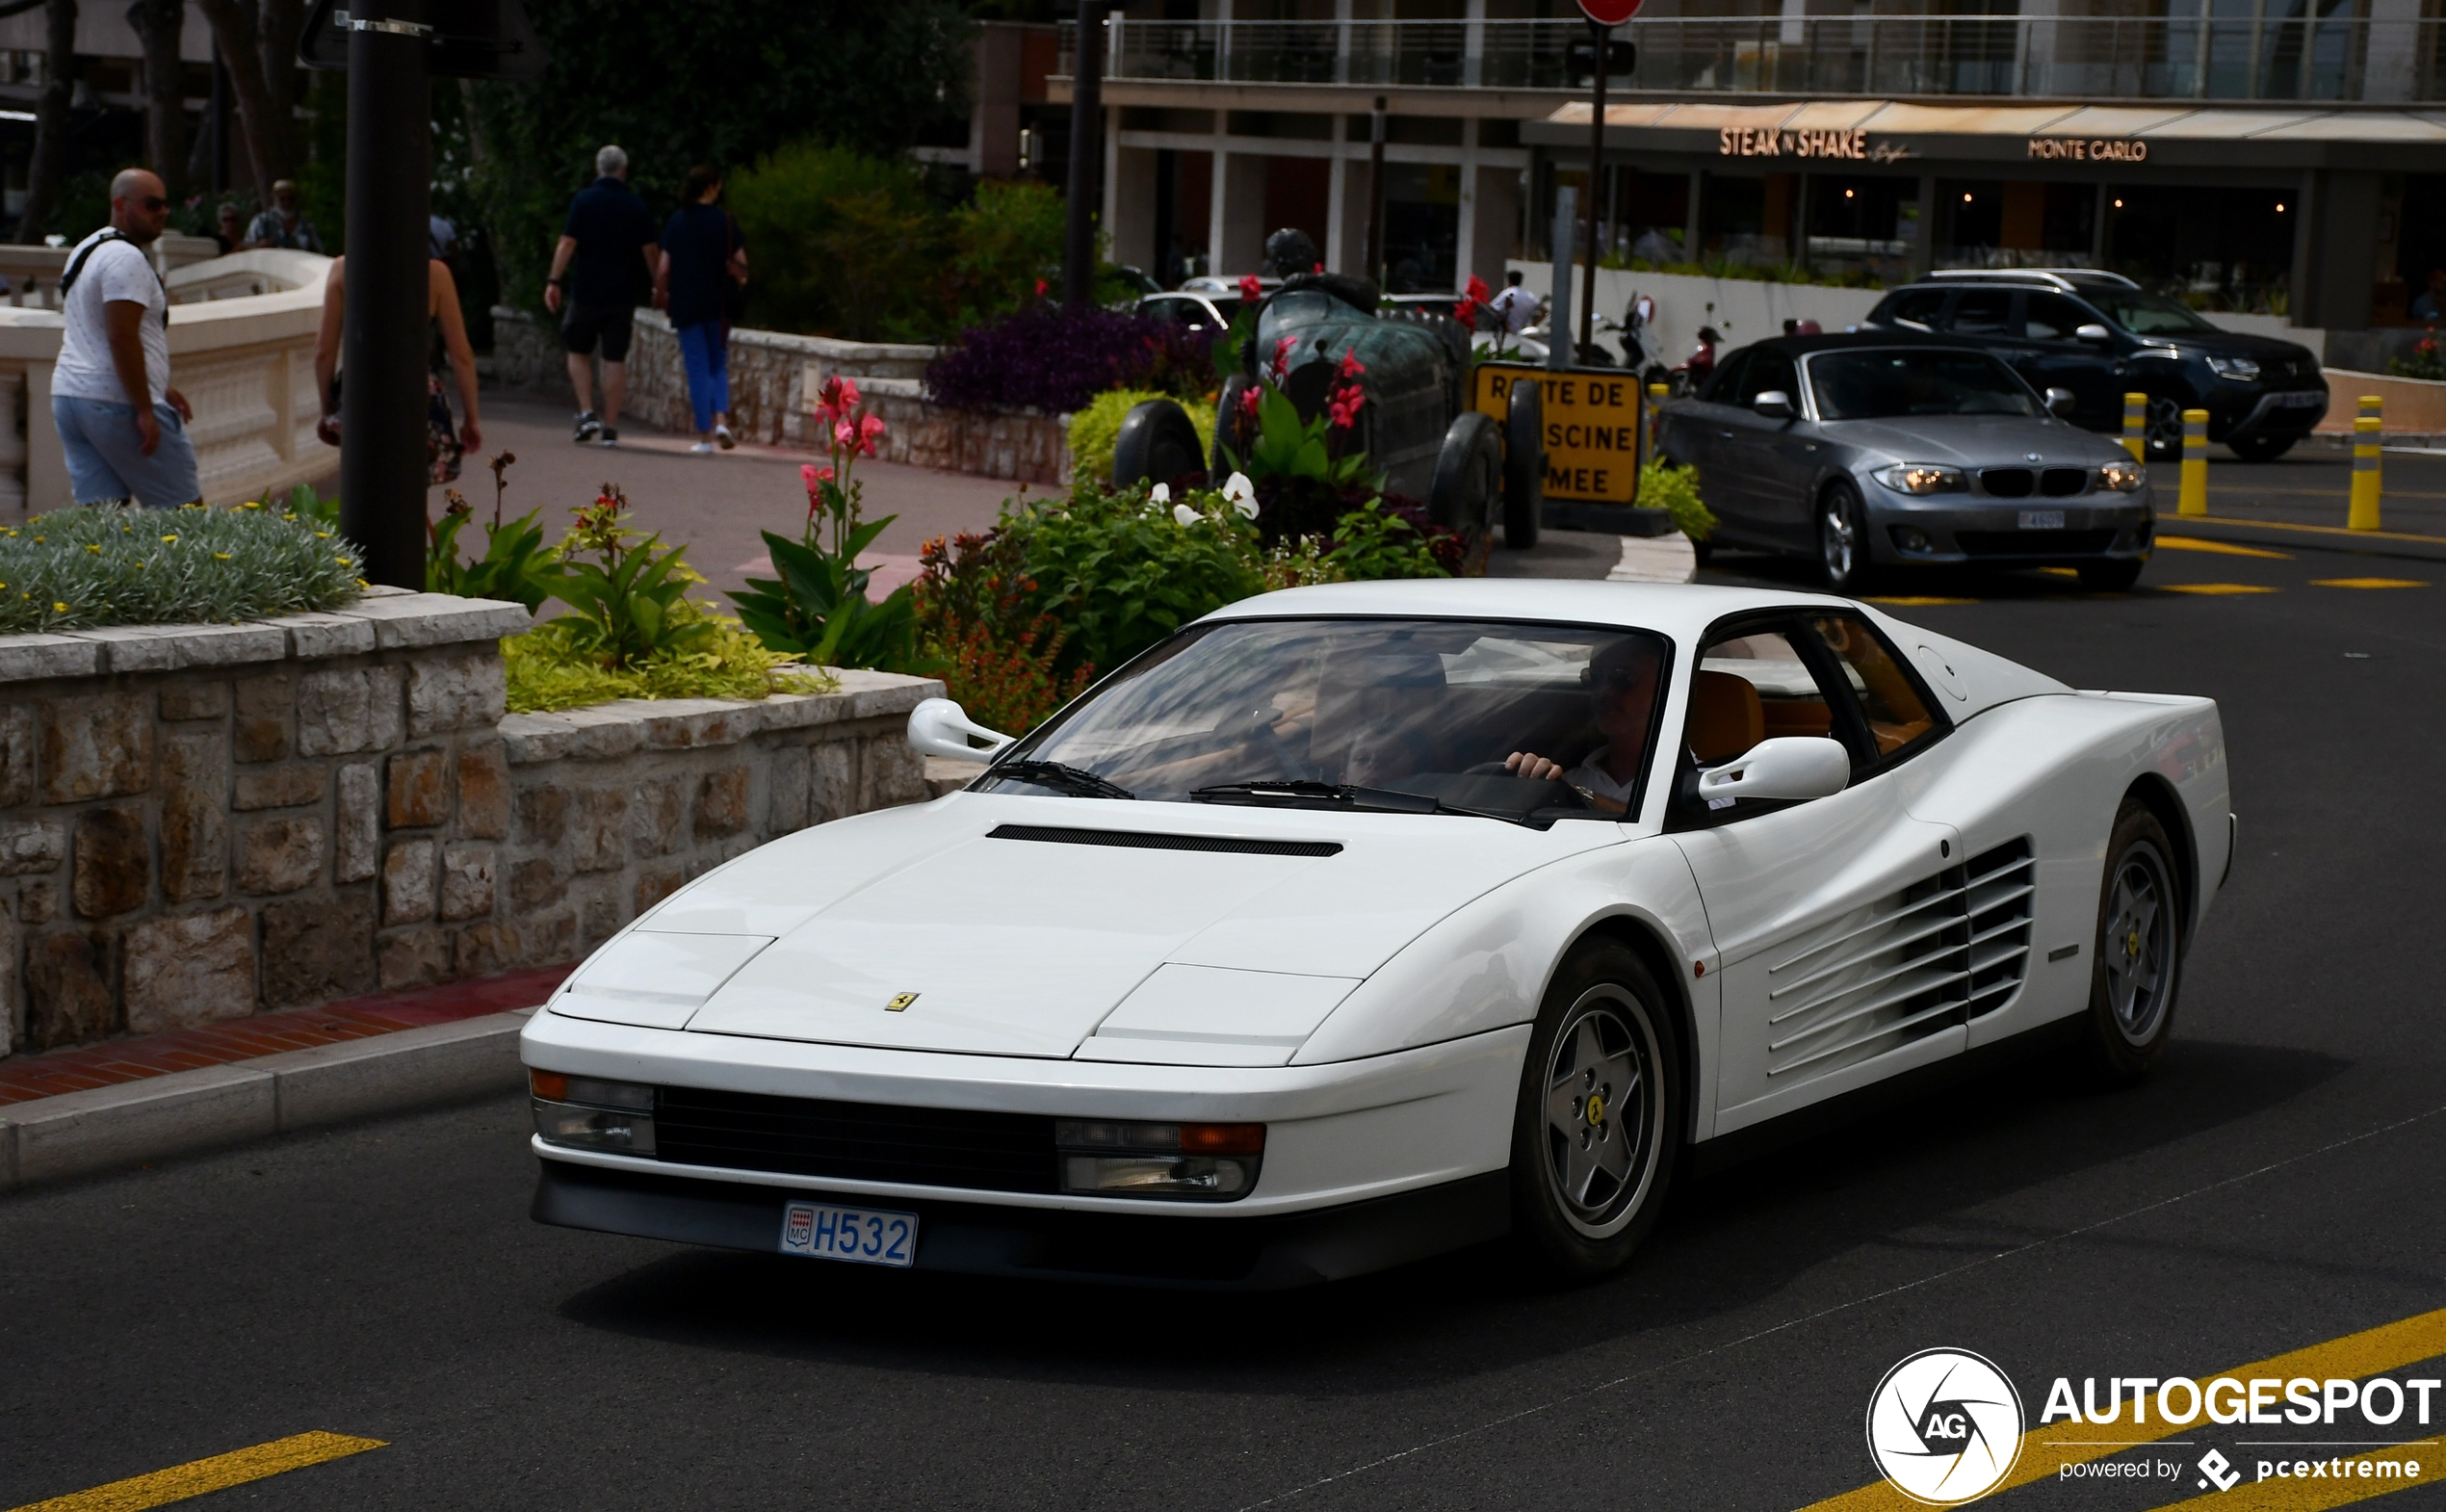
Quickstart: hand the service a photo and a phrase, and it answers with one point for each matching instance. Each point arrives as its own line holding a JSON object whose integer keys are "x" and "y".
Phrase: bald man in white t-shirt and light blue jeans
{"x": 119, "y": 420}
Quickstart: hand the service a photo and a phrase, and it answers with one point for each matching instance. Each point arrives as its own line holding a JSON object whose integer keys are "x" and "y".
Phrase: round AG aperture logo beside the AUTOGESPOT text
{"x": 1946, "y": 1428}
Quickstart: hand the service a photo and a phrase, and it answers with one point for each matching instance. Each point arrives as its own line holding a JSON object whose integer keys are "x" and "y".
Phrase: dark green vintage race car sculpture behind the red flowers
{"x": 1415, "y": 422}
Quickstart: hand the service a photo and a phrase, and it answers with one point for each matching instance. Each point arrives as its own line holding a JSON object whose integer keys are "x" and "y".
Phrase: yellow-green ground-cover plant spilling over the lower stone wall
{"x": 556, "y": 667}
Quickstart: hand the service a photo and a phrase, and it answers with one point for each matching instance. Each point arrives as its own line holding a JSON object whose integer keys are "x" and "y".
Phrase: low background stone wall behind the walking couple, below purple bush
{"x": 774, "y": 383}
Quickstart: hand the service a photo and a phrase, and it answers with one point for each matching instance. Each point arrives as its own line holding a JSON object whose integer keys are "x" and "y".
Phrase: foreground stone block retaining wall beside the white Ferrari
{"x": 202, "y": 823}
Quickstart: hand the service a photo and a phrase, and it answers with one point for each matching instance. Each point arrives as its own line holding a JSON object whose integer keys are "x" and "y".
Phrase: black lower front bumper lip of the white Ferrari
{"x": 1112, "y": 1249}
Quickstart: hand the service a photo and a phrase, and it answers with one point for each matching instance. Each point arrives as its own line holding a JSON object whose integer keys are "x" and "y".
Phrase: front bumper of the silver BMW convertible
{"x": 1987, "y": 532}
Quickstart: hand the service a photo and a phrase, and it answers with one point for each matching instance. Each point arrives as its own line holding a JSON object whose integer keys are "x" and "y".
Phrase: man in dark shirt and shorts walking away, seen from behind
{"x": 605, "y": 261}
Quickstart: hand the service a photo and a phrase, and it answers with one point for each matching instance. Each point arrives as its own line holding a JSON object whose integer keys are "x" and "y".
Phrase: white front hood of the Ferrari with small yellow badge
{"x": 1009, "y": 936}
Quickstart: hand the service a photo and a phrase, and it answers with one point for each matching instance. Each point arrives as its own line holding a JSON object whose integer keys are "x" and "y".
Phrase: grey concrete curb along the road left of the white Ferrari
{"x": 82, "y": 1134}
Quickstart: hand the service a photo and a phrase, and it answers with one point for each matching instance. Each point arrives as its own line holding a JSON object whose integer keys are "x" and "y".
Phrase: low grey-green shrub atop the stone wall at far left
{"x": 99, "y": 566}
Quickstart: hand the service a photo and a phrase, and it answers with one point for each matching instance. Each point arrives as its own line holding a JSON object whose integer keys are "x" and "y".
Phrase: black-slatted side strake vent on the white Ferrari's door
{"x": 1909, "y": 965}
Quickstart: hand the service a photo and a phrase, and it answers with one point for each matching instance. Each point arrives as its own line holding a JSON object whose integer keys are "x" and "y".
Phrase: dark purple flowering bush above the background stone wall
{"x": 1058, "y": 361}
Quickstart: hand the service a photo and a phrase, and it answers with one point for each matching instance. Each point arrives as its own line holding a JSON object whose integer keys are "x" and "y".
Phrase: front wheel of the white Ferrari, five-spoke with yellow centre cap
{"x": 1598, "y": 1124}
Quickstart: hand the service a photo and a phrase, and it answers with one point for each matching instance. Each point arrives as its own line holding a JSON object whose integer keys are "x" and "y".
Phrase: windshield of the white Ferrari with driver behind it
{"x": 1361, "y": 713}
